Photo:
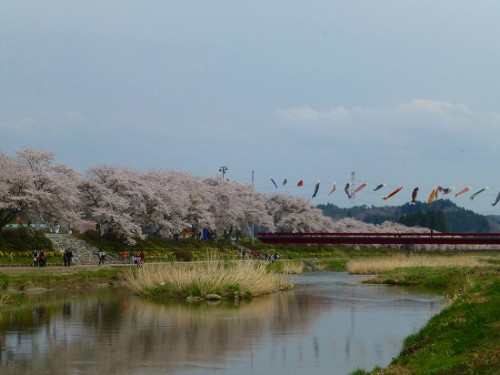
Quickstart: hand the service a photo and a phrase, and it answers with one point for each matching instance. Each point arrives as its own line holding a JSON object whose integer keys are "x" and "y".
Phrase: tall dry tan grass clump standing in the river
{"x": 227, "y": 279}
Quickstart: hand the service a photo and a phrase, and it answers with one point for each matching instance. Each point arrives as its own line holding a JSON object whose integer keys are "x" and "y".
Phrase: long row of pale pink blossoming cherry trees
{"x": 131, "y": 204}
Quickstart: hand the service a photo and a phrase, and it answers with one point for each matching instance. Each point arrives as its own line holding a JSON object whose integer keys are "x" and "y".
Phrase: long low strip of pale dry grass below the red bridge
{"x": 378, "y": 265}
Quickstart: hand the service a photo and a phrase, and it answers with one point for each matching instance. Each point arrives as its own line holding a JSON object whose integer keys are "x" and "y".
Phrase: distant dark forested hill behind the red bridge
{"x": 442, "y": 215}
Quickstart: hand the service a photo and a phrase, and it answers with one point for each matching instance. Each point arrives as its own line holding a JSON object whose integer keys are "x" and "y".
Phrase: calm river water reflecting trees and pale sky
{"x": 330, "y": 324}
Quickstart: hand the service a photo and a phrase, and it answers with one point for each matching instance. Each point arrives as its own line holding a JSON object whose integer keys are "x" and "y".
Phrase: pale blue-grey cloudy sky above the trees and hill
{"x": 400, "y": 92}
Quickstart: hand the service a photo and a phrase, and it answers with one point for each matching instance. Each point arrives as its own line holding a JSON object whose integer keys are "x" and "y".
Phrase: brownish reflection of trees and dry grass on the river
{"x": 119, "y": 334}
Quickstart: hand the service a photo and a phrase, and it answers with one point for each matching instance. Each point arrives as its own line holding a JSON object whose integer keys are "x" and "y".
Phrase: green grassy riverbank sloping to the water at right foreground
{"x": 463, "y": 338}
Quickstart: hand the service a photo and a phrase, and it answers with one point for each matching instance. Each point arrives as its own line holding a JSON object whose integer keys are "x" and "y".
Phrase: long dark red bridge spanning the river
{"x": 362, "y": 238}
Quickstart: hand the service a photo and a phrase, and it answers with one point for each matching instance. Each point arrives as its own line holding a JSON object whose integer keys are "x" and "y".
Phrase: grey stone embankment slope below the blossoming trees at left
{"x": 83, "y": 253}
